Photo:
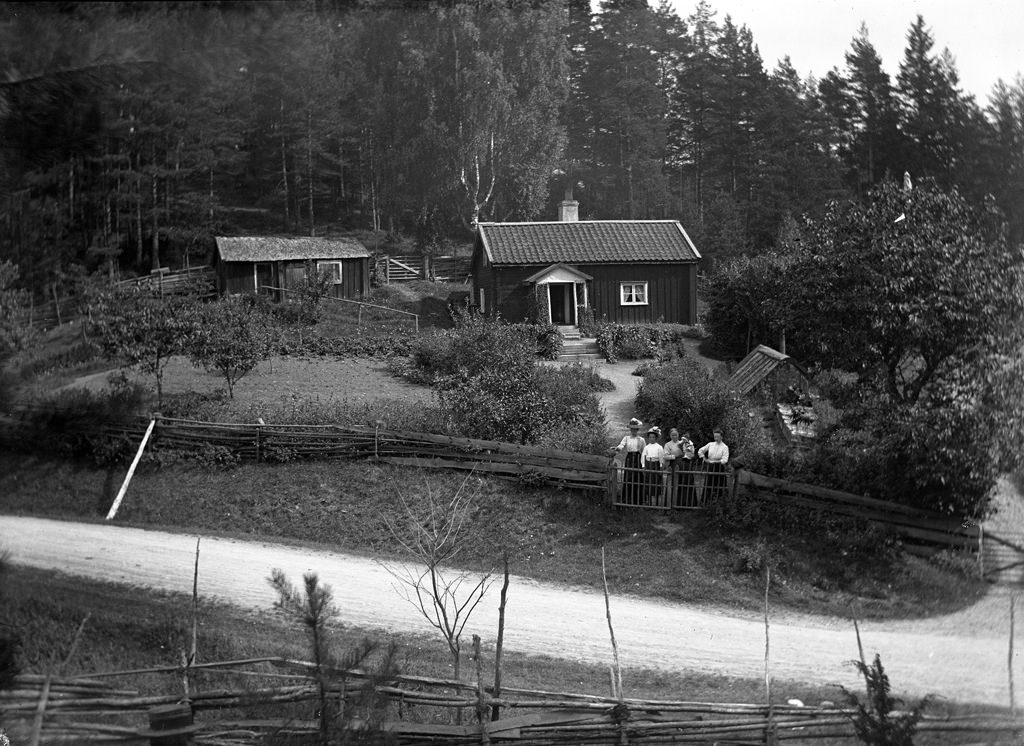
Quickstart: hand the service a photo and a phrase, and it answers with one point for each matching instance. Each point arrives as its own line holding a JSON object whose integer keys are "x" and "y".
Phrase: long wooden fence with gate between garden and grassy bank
{"x": 924, "y": 533}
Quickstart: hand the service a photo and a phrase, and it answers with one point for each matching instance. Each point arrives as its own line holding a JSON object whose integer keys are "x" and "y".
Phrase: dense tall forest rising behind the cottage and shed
{"x": 134, "y": 133}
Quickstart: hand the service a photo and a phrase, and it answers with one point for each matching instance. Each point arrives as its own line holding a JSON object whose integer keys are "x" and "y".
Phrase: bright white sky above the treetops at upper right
{"x": 987, "y": 37}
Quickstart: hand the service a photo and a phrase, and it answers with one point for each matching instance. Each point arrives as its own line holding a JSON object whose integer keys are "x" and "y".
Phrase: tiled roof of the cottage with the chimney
{"x": 609, "y": 242}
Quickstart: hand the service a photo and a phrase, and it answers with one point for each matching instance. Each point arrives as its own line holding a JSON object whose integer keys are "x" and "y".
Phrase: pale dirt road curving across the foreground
{"x": 542, "y": 619}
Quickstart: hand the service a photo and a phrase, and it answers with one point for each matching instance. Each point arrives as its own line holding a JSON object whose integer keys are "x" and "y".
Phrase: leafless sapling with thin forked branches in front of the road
{"x": 434, "y": 532}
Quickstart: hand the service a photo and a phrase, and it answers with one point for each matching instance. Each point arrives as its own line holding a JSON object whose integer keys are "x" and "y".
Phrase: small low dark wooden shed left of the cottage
{"x": 255, "y": 264}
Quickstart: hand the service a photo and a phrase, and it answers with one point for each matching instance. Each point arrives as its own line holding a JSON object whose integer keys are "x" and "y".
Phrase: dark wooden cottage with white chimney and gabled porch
{"x": 631, "y": 272}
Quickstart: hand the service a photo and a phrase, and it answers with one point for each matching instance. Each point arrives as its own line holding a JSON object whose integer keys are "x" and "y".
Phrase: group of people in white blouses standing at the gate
{"x": 663, "y": 475}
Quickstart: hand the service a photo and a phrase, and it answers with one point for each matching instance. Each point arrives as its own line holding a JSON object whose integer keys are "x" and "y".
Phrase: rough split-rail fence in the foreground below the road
{"x": 421, "y": 711}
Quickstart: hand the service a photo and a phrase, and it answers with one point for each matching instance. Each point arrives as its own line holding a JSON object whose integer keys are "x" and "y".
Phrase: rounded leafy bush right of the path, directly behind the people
{"x": 682, "y": 394}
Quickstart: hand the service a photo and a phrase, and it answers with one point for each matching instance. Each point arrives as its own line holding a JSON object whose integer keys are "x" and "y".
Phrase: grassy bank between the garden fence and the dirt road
{"x": 550, "y": 536}
